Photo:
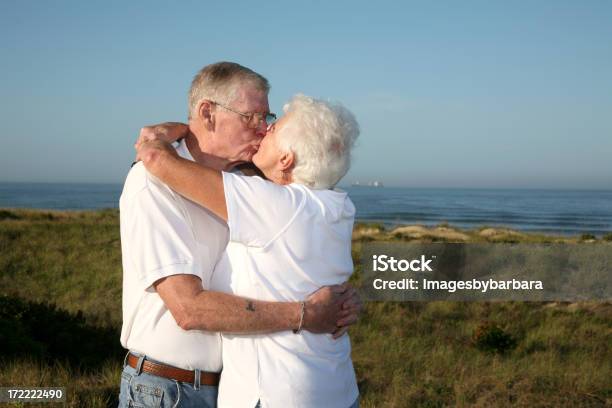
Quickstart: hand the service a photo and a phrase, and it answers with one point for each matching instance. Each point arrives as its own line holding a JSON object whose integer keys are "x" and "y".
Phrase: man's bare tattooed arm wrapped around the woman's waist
{"x": 195, "y": 308}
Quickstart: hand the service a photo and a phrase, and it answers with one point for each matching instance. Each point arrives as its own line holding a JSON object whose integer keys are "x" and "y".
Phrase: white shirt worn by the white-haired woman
{"x": 285, "y": 243}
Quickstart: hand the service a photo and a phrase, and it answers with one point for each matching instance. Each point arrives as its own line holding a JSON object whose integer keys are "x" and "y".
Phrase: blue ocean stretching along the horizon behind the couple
{"x": 563, "y": 212}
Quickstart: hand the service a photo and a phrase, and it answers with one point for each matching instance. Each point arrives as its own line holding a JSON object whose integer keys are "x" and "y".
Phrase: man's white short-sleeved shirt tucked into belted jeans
{"x": 164, "y": 234}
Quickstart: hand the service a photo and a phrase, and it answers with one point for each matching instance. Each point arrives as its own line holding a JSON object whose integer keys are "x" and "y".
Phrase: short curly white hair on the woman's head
{"x": 321, "y": 135}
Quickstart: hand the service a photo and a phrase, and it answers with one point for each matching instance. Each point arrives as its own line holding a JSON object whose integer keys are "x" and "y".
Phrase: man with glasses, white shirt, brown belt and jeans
{"x": 173, "y": 304}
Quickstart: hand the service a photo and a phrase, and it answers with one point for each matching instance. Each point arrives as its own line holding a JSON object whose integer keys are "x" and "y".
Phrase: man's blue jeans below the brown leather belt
{"x": 143, "y": 390}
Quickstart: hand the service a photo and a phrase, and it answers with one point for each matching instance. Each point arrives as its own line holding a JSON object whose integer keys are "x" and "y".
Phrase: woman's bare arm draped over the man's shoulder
{"x": 200, "y": 184}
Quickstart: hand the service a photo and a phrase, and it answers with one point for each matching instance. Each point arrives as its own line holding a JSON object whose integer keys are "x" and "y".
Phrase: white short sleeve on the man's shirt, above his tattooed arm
{"x": 157, "y": 237}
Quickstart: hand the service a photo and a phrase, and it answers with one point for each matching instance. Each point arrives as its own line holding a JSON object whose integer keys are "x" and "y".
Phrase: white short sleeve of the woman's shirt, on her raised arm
{"x": 258, "y": 210}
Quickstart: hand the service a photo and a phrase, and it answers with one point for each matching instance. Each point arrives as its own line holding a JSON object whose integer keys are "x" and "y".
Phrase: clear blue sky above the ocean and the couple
{"x": 448, "y": 94}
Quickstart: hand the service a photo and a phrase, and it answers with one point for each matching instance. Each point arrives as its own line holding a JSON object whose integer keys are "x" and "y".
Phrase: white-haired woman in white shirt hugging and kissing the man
{"x": 289, "y": 235}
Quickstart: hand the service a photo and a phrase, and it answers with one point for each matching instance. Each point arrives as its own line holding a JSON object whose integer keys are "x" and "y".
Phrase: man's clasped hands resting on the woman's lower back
{"x": 332, "y": 309}
